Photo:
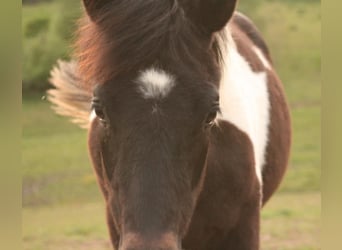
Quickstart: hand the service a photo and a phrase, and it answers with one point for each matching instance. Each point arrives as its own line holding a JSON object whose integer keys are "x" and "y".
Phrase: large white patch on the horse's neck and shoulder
{"x": 244, "y": 100}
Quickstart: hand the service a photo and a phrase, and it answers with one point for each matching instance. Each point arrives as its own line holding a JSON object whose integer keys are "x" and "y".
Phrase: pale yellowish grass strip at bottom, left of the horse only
{"x": 71, "y": 226}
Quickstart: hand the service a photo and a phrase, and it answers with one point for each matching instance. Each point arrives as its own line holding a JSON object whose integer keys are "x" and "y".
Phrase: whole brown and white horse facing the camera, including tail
{"x": 189, "y": 129}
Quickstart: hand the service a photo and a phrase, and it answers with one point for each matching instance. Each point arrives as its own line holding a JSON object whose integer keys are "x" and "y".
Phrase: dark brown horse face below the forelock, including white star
{"x": 153, "y": 134}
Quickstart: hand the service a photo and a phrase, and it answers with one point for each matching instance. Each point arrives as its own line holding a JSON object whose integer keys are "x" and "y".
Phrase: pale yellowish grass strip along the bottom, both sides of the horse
{"x": 294, "y": 227}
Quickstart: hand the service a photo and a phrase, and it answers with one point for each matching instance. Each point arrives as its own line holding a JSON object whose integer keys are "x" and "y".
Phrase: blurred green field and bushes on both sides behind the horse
{"x": 62, "y": 207}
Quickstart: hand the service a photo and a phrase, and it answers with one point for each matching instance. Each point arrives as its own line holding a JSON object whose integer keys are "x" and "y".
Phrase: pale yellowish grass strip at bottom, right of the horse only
{"x": 291, "y": 222}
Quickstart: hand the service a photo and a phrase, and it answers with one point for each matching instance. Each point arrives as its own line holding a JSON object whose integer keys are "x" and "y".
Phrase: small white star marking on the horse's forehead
{"x": 155, "y": 83}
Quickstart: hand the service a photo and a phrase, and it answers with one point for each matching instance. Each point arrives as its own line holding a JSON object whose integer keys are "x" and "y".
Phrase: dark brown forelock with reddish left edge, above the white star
{"x": 130, "y": 33}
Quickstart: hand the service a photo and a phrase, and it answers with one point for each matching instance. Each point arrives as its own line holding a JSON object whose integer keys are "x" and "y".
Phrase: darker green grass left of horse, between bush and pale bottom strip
{"x": 55, "y": 164}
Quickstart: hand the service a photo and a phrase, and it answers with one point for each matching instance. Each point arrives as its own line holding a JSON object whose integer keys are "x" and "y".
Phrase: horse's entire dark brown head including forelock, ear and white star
{"x": 153, "y": 113}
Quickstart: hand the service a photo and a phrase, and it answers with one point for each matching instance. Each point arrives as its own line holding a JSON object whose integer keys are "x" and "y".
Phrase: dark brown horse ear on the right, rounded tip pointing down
{"x": 209, "y": 15}
